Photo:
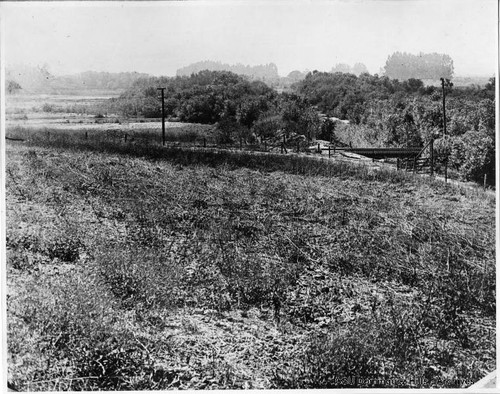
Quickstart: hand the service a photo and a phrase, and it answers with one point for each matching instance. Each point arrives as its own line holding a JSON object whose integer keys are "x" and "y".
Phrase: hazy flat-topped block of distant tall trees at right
{"x": 403, "y": 66}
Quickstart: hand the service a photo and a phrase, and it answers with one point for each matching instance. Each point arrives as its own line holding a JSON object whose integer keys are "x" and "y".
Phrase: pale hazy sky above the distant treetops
{"x": 160, "y": 37}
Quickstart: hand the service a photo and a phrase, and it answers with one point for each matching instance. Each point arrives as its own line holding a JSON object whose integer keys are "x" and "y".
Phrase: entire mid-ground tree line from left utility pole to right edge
{"x": 381, "y": 110}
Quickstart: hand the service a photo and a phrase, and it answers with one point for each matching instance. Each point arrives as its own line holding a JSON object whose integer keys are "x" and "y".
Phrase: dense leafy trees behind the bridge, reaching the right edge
{"x": 387, "y": 112}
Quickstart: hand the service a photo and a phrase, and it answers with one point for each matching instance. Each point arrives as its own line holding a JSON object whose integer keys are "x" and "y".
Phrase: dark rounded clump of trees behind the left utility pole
{"x": 242, "y": 109}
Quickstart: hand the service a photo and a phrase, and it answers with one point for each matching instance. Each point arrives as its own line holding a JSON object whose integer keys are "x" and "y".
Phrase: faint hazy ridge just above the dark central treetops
{"x": 266, "y": 73}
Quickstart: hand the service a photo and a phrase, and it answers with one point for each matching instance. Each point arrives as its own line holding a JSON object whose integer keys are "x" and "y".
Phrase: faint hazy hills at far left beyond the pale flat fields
{"x": 36, "y": 79}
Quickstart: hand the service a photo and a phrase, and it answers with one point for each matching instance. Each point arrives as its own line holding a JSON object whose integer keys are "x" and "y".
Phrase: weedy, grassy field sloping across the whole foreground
{"x": 136, "y": 267}
